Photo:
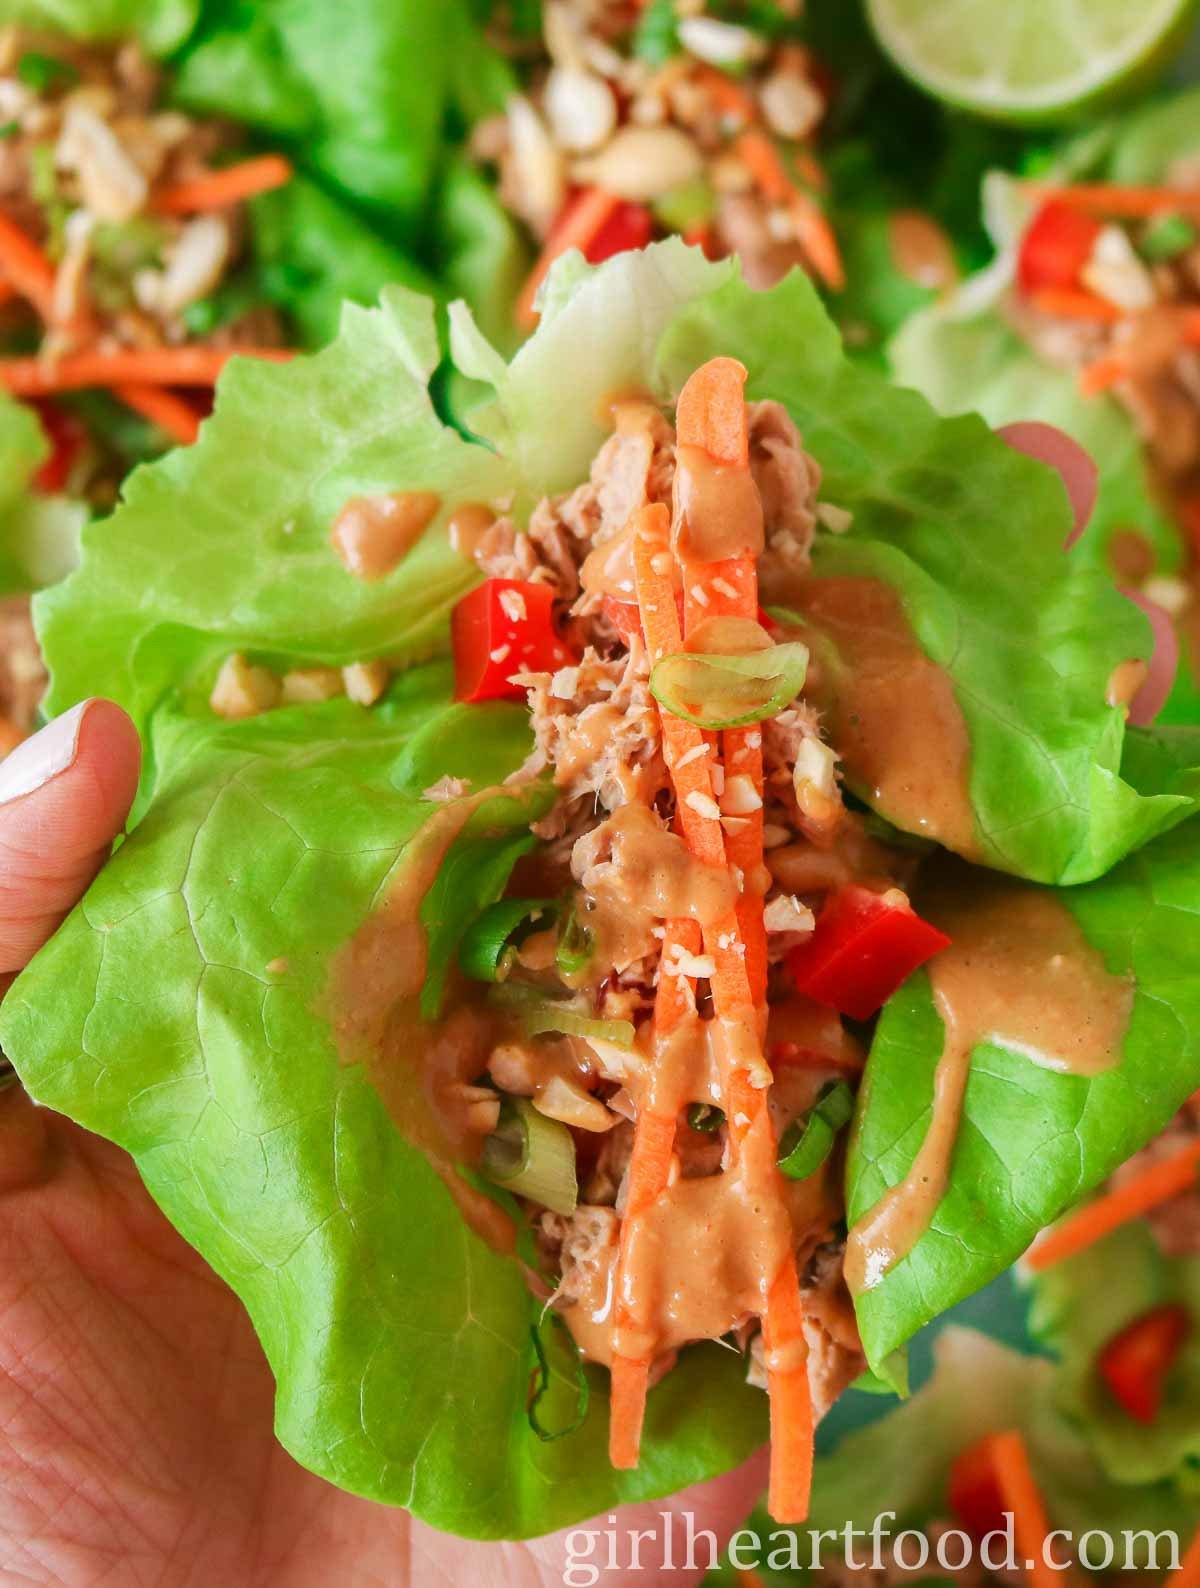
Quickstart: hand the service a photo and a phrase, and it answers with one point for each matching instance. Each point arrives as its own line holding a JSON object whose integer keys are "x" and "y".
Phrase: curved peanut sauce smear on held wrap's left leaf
{"x": 417, "y": 1066}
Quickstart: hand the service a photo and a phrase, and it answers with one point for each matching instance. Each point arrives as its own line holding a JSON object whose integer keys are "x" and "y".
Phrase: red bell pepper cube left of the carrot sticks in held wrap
{"x": 504, "y": 628}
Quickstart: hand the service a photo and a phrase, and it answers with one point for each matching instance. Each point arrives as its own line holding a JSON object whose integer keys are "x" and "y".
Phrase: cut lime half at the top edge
{"x": 1031, "y": 60}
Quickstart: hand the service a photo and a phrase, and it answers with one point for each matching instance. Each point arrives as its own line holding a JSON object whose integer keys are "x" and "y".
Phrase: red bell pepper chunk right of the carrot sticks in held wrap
{"x": 863, "y": 949}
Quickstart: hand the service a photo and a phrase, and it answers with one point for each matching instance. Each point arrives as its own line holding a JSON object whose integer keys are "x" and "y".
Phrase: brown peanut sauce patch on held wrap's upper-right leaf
{"x": 891, "y": 712}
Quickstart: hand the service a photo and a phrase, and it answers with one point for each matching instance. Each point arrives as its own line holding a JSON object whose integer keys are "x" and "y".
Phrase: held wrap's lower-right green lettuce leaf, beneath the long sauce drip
{"x": 1033, "y": 1141}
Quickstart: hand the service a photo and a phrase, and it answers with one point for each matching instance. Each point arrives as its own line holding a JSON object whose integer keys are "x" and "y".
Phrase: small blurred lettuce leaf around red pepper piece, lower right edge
{"x": 1079, "y": 1306}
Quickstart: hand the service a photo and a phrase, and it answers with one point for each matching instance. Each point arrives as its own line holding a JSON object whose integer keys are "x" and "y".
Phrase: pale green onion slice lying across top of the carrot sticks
{"x": 728, "y": 692}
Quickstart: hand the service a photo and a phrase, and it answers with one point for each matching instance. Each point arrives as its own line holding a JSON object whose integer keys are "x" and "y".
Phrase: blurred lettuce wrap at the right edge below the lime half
{"x": 1001, "y": 349}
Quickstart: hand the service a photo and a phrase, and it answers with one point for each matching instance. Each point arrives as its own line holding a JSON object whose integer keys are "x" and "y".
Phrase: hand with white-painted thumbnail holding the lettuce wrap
{"x": 136, "y": 1403}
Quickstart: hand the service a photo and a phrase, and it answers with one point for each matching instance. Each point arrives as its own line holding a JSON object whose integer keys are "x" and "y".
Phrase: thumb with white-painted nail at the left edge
{"x": 64, "y": 796}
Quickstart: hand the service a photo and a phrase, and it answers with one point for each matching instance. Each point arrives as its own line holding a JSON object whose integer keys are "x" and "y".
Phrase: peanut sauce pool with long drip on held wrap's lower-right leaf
{"x": 1021, "y": 976}
